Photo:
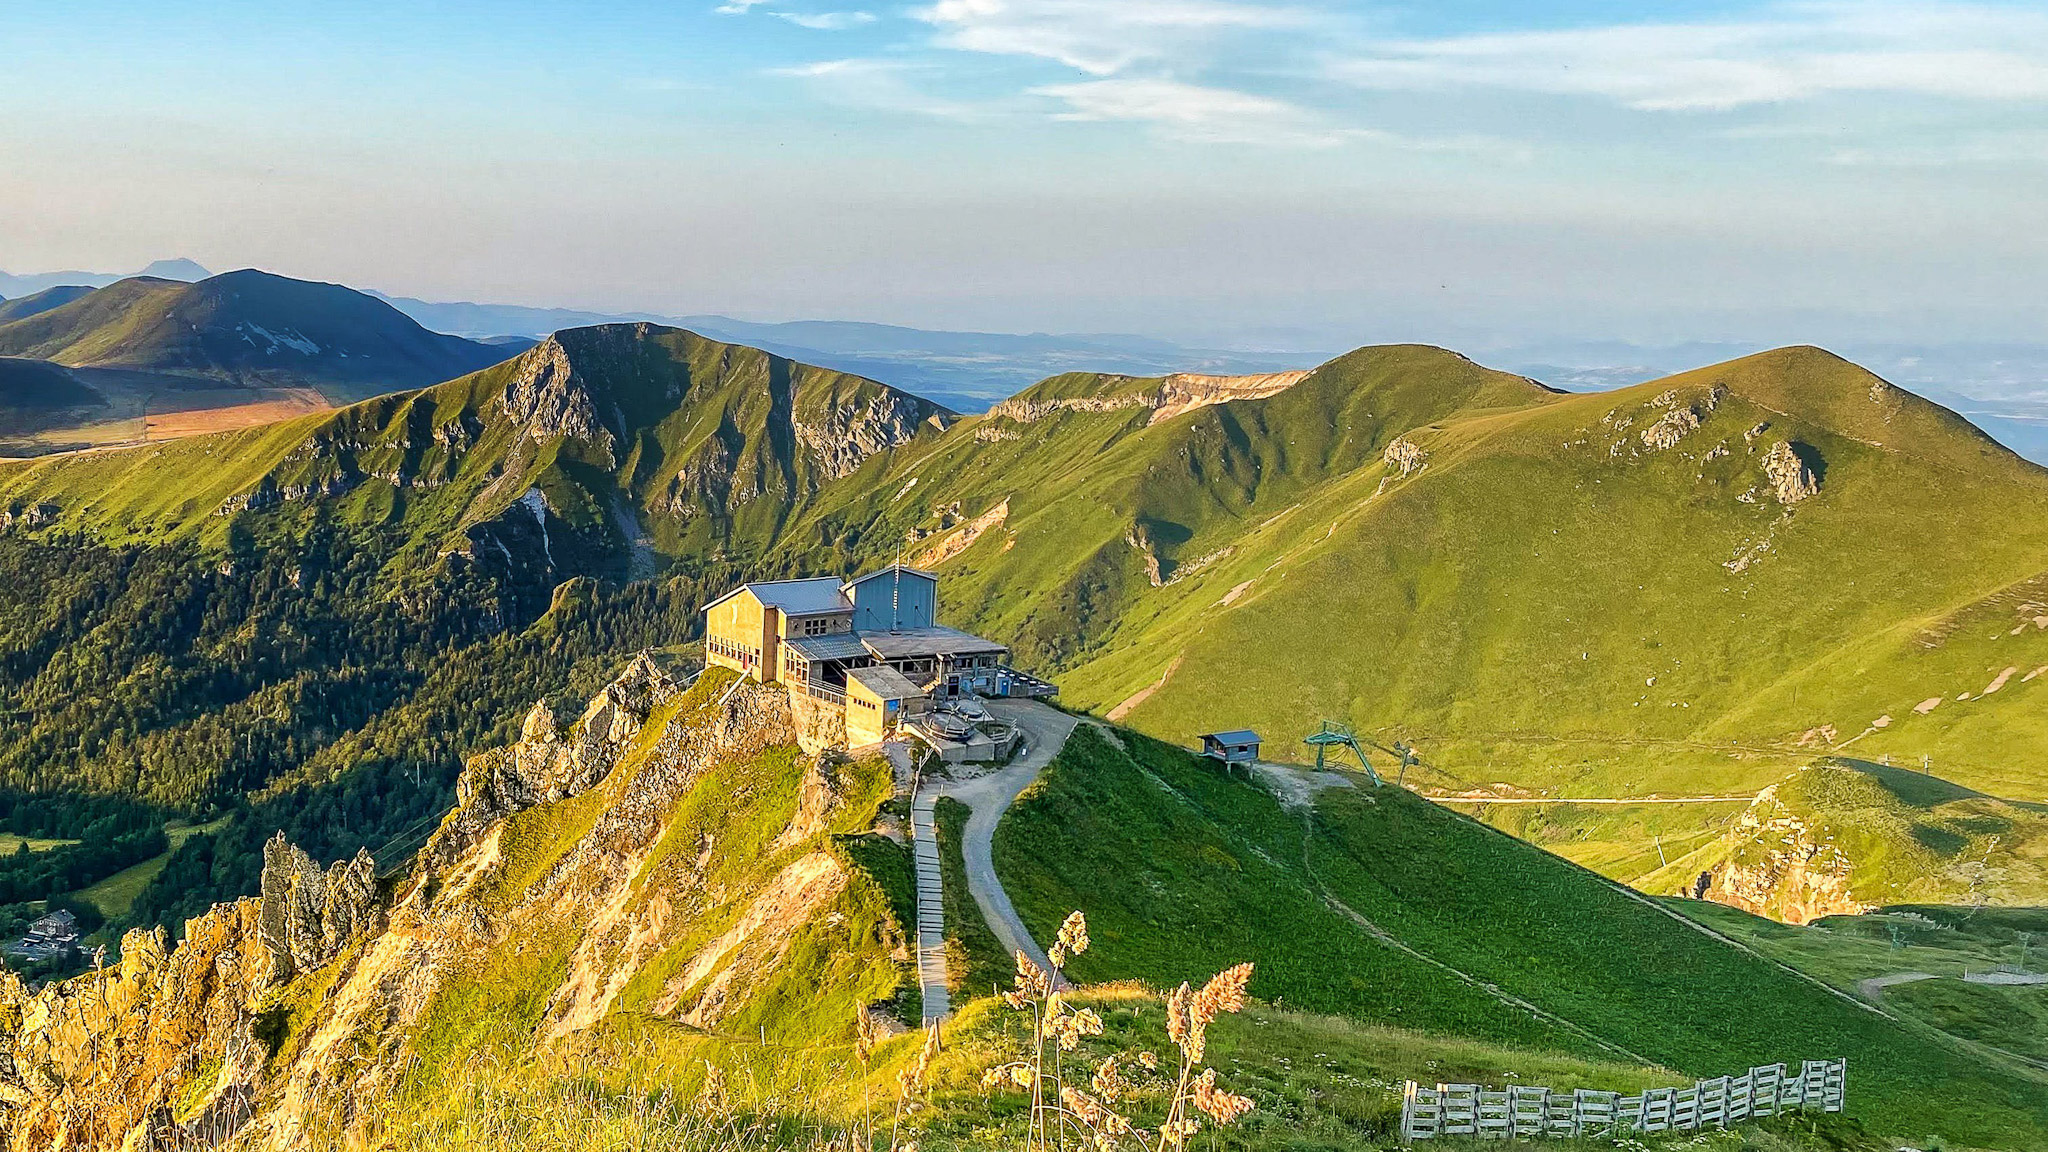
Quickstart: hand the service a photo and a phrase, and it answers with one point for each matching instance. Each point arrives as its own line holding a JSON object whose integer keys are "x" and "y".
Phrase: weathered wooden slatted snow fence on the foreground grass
{"x": 1531, "y": 1112}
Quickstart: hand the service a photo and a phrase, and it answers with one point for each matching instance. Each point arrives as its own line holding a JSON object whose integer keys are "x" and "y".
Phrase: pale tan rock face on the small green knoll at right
{"x": 1777, "y": 868}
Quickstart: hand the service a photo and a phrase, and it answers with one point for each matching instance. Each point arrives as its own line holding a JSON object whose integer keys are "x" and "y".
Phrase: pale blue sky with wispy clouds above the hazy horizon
{"x": 1226, "y": 173}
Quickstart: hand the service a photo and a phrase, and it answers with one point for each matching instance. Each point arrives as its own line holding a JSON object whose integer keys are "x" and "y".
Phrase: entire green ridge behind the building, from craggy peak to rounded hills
{"x": 1691, "y": 587}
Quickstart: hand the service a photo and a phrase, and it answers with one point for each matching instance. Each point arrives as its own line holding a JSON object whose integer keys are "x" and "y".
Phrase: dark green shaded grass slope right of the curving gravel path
{"x": 1156, "y": 848}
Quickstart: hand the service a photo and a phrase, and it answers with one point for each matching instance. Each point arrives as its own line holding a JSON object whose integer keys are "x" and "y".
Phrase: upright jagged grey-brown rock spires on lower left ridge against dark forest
{"x": 308, "y": 917}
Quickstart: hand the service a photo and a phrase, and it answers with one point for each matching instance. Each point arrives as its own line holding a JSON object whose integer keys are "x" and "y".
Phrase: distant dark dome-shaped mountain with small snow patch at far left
{"x": 247, "y": 329}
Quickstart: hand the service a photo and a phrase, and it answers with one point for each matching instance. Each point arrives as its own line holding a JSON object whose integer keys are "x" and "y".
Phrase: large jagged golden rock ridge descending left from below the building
{"x": 296, "y": 1014}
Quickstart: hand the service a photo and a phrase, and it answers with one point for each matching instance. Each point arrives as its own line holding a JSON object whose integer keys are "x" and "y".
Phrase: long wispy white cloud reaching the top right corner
{"x": 1789, "y": 52}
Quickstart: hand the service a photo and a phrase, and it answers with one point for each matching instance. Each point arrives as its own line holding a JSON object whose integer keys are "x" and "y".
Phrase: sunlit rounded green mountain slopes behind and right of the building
{"x": 1547, "y": 600}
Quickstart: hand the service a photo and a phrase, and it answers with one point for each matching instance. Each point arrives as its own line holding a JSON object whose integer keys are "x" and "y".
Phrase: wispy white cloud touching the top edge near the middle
{"x": 1101, "y": 38}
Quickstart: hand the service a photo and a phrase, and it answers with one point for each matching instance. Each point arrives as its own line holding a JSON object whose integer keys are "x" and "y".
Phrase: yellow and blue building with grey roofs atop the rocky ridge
{"x": 871, "y": 647}
